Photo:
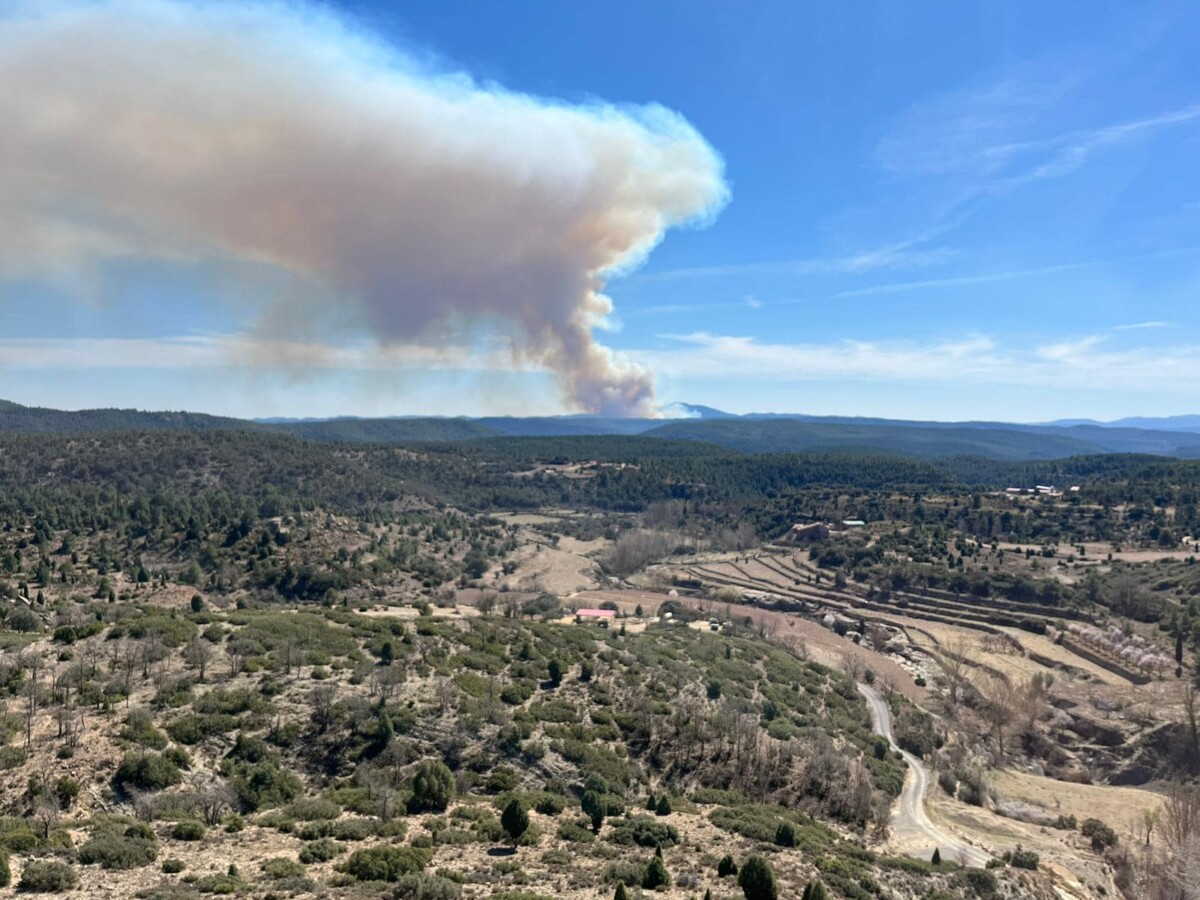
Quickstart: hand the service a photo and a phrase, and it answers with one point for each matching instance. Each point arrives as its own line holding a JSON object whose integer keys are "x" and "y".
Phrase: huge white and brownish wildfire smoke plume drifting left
{"x": 422, "y": 203}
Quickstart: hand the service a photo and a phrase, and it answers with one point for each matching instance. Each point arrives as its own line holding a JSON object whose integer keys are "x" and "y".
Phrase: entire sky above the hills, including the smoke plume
{"x": 371, "y": 209}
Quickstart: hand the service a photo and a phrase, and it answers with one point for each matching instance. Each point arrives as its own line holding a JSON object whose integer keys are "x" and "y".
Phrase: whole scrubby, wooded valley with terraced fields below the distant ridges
{"x": 254, "y": 667}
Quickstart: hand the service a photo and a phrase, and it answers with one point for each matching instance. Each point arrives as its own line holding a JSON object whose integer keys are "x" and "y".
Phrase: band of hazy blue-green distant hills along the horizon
{"x": 759, "y": 433}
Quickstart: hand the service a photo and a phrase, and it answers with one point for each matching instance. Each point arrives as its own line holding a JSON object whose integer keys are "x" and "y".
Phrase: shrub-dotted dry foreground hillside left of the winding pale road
{"x": 299, "y": 747}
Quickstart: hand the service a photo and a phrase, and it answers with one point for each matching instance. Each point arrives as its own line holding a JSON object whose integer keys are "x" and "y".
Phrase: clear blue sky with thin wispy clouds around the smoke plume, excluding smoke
{"x": 935, "y": 211}
